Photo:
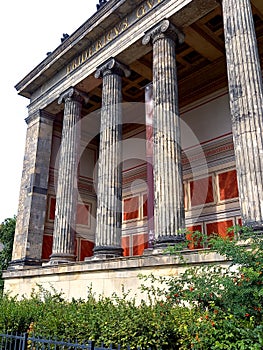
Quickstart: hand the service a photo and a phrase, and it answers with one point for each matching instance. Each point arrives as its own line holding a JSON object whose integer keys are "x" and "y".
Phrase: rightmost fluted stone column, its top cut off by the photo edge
{"x": 246, "y": 105}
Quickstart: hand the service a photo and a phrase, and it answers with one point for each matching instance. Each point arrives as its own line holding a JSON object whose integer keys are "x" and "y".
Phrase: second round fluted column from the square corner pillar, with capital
{"x": 109, "y": 190}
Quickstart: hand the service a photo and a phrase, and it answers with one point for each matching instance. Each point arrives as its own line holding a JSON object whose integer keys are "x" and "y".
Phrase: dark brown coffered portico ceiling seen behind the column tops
{"x": 201, "y": 61}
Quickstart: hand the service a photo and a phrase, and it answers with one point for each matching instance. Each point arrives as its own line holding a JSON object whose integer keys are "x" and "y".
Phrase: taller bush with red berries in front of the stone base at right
{"x": 236, "y": 288}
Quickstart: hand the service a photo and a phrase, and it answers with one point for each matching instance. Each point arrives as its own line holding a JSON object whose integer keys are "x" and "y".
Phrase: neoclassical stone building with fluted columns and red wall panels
{"x": 145, "y": 121}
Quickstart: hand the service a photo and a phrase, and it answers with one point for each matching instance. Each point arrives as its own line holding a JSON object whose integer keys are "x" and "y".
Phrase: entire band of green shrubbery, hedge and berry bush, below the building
{"x": 206, "y": 307}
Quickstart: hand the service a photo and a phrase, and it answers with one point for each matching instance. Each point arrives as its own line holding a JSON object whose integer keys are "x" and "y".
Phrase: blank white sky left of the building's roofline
{"x": 29, "y": 29}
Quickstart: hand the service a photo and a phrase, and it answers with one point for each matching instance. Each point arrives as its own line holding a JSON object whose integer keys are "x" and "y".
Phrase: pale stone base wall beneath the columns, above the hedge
{"x": 106, "y": 277}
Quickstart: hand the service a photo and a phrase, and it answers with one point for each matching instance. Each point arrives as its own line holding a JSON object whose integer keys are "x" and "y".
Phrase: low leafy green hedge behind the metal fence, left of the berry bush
{"x": 110, "y": 320}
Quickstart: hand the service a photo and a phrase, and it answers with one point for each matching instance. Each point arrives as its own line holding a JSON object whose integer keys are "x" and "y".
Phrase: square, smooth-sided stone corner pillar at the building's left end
{"x": 33, "y": 191}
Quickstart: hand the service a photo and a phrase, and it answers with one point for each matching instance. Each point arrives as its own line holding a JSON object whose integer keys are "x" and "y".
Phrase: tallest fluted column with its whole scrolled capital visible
{"x": 168, "y": 187}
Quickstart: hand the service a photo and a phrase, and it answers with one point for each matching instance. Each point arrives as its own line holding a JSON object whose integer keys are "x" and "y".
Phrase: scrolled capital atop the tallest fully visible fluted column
{"x": 163, "y": 29}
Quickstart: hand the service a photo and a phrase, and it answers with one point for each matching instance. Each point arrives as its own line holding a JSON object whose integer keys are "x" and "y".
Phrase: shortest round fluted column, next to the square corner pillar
{"x": 66, "y": 196}
